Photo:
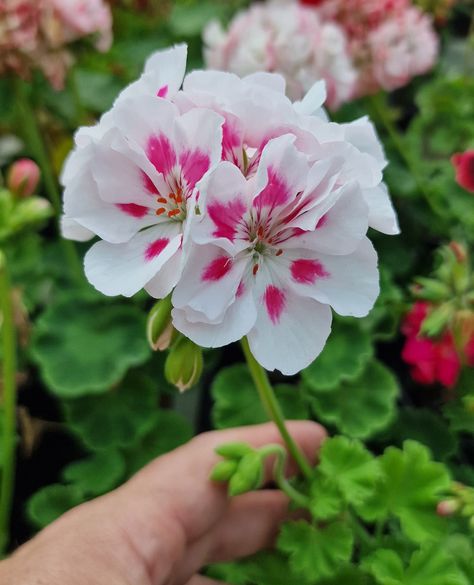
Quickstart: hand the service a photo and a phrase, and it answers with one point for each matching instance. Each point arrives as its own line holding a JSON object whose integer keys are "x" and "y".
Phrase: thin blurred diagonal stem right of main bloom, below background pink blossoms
{"x": 382, "y": 113}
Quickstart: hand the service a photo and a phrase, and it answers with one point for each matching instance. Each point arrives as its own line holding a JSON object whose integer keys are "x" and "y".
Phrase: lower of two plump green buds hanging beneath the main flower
{"x": 184, "y": 364}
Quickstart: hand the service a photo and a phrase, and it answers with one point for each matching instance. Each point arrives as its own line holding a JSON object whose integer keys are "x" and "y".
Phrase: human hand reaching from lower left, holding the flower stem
{"x": 165, "y": 524}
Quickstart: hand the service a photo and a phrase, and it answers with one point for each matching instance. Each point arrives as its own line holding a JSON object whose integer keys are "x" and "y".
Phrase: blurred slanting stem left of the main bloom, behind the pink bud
{"x": 39, "y": 151}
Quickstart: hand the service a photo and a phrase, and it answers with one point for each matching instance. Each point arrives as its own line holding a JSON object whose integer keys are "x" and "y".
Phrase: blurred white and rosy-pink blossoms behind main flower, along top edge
{"x": 357, "y": 47}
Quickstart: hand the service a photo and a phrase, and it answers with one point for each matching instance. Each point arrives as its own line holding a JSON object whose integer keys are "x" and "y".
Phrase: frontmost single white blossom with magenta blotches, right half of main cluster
{"x": 272, "y": 253}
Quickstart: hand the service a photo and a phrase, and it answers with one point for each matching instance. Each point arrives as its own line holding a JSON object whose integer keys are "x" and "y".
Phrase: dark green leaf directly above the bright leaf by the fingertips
{"x": 360, "y": 407}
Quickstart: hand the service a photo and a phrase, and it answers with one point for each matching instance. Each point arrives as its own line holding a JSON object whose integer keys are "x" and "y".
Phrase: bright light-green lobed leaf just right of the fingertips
{"x": 351, "y": 467}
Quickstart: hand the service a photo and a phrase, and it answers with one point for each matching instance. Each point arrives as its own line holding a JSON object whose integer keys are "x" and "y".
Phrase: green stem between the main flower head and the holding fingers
{"x": 272, "y": 406}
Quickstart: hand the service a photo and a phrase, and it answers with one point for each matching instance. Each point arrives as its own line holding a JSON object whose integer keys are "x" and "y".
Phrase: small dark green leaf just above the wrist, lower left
{"x": 52, "y": 501}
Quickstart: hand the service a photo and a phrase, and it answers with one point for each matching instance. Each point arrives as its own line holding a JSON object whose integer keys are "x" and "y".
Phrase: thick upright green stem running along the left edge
{"x": 8, "y": 403}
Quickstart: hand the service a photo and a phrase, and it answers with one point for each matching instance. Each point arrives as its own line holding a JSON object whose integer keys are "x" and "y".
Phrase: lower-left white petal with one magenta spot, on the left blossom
{"x": 124, "y": 269}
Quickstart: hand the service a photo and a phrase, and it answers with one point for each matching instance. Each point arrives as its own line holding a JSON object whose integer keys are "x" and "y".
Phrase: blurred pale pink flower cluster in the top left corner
{"x": 34, "y": 34}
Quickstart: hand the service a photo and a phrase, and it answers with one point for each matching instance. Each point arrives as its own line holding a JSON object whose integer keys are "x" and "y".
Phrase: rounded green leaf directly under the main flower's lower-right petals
{"x": 343, "y": 358}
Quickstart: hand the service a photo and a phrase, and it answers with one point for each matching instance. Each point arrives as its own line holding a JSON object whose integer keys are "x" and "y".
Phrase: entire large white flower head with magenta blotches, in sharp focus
{"x": 251, "y": 210}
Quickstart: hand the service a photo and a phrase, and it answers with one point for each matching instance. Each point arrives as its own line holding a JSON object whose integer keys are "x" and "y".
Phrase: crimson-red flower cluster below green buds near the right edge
{"x": 432, "y": 360}
